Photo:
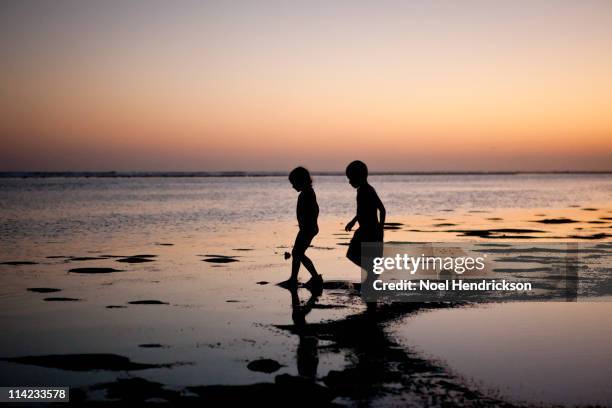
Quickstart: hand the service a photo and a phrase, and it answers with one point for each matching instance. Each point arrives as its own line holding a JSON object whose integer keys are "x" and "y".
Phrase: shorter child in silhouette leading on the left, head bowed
{"x": 307, "y": 212}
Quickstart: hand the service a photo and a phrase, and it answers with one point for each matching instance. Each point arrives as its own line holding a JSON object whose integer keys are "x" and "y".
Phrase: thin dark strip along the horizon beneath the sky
{"x": 144, "y": 174}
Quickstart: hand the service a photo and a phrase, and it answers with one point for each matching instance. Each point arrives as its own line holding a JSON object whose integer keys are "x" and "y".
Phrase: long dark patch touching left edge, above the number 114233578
{"x": 84, "y": 362}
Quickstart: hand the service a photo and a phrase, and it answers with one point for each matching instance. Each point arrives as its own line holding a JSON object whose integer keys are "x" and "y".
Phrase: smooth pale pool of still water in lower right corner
{"x": 540, "y": 353}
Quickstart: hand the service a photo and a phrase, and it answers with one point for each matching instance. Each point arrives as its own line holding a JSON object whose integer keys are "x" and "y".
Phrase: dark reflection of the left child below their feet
{"x": 307, "y": 351}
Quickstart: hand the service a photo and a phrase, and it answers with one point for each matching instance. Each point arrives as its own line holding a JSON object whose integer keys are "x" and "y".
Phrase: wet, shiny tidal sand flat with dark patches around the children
{"x": 199, "y": 319}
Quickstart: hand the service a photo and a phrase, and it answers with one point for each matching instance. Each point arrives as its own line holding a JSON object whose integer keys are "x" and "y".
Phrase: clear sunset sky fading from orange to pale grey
{"x": 267, "y": 85}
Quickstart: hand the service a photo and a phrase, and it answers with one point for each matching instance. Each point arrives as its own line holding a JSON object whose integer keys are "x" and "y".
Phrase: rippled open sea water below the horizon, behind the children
{"x": 61, "y": 209}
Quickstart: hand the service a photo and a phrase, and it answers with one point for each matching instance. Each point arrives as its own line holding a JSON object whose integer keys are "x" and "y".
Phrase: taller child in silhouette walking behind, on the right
{"x": 368, "y": 205}
